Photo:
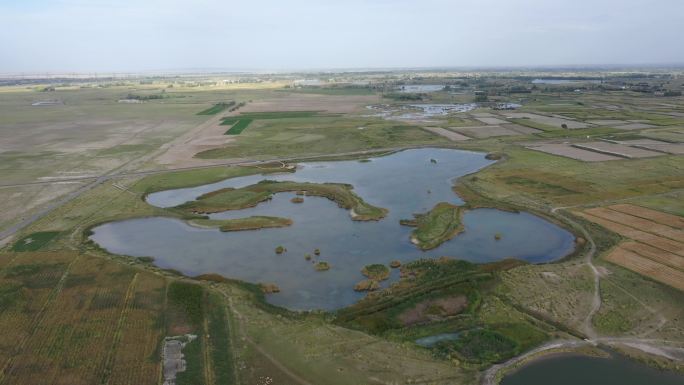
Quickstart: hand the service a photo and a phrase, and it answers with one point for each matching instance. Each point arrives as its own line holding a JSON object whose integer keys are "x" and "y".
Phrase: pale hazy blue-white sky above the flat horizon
{"x": 139, "y": 35}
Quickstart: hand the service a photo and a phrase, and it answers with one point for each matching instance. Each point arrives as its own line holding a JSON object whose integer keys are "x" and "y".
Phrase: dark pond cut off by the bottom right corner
{"x": 581, "y": 370}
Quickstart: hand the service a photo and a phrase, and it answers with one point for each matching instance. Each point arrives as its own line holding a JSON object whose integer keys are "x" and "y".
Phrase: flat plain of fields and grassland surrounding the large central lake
{"x": 82, "y": 315}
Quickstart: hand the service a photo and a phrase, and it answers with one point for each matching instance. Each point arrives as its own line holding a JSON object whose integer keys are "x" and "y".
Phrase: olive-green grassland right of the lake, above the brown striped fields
{"x": 529, "y": 176}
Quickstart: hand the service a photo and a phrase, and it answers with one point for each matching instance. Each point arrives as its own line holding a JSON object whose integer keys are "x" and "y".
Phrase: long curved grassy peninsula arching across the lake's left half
{"x": 249, "y": 196}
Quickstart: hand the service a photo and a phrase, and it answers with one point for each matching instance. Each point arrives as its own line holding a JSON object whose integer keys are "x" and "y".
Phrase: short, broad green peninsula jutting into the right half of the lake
{"x": 436, "y": 226}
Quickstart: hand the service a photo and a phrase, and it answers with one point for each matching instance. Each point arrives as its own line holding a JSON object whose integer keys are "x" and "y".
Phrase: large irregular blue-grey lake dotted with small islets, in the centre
{"x": 406, "y": 182}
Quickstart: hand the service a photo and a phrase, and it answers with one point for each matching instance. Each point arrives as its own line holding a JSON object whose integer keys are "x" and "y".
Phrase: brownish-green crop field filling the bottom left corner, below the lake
{"x": 78, "y": 319}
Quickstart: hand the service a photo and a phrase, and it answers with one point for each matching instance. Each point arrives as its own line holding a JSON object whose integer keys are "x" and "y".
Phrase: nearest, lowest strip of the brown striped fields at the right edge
{"x": 647, "y": 267}
